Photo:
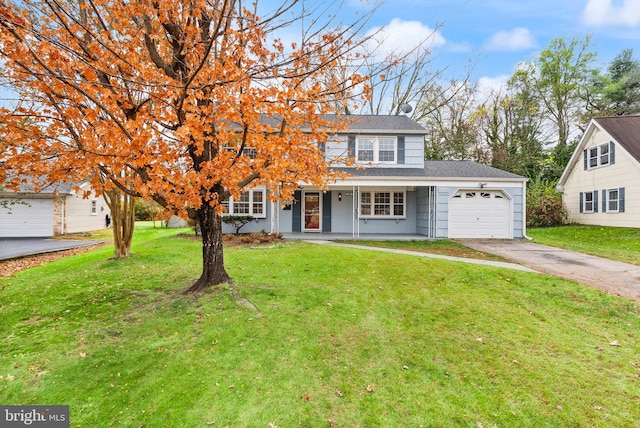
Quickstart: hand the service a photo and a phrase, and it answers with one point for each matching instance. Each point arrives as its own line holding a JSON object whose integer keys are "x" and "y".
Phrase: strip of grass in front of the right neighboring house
{"x": 617, "y": 243}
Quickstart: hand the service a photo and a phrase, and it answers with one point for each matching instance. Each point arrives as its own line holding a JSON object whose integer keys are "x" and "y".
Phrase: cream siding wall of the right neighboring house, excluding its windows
{"x": 625, "y": 172}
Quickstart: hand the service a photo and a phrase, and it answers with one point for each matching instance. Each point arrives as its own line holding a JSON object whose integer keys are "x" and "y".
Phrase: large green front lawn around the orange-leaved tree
{"x": 340, "y": 336}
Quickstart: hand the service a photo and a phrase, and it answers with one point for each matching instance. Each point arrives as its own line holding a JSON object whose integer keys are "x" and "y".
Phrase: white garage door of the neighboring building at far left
{"x": 32, "y": 220}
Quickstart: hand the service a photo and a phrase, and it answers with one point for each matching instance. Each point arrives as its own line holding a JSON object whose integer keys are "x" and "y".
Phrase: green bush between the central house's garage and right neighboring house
{"x": 544, "y": 205}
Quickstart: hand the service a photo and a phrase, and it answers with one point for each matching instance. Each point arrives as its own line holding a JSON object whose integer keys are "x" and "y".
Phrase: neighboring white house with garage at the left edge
{"x": 55, "y": 210}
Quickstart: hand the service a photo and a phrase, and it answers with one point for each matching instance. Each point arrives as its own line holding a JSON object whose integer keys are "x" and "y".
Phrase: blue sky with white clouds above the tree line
{"x": 493, "y": 36}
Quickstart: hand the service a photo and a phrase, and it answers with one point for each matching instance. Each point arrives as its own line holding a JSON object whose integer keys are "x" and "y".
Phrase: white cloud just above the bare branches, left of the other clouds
{"x": 401, "y": 37}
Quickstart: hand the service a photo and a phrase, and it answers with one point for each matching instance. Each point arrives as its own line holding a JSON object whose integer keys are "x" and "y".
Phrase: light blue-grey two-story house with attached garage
{"x": 396, "y": 191}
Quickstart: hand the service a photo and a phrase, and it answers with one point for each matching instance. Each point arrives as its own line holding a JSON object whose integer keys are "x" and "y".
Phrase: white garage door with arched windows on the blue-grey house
{"x": 479, "y": 214}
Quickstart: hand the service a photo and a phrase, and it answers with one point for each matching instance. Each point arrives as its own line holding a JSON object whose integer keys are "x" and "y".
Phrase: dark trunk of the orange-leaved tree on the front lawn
{"x": 213, "y": 272}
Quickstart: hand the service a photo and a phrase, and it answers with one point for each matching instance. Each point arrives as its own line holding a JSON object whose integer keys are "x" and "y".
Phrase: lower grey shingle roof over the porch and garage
{"x": 437, "y": 169}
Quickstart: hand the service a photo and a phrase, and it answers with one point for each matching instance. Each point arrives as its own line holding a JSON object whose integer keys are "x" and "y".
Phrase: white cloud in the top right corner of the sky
{"x": 602, "y": 13}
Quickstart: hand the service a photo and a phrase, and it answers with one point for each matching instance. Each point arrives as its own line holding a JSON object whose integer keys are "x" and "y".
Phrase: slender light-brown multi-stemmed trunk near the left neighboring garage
{"x": 122, "y": 208}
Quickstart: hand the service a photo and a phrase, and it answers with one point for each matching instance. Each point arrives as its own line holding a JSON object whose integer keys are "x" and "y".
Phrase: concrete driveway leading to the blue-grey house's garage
{"x": 609, "y": 275}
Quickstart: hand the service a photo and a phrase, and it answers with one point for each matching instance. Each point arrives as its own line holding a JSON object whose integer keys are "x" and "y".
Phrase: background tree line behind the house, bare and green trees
{"x": 531, "y": 125}
